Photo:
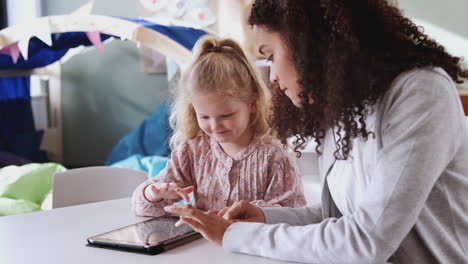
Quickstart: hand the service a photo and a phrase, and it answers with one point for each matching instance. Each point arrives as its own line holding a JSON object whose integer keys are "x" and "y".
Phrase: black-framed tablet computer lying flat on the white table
{"x": 151, "y": 236}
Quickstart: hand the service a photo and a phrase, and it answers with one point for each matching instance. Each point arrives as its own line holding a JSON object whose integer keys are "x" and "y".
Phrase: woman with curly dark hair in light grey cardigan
{"x": 378, "y": 96}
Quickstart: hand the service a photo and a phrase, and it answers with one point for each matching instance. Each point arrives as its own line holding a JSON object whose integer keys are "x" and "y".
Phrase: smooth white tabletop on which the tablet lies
{"x": 59, "y": 236}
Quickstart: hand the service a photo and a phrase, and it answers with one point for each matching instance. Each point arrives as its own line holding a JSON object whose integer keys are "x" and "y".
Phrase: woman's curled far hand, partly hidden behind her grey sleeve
{"x": 243, "y": 211}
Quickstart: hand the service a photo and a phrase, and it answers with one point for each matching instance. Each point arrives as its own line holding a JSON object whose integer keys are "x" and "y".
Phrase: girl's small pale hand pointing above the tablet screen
{"x": 162, "y": 190}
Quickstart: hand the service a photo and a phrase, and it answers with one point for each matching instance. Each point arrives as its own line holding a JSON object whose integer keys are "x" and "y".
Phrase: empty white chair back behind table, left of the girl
{"x": 94, "y": 184}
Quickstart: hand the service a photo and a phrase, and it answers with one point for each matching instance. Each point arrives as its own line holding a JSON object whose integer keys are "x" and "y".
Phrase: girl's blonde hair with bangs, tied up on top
{"x": 219, "y": 65}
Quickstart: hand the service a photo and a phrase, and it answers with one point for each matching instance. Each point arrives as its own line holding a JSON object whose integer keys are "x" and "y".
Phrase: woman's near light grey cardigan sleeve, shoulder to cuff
{"x": 421, "y": 117}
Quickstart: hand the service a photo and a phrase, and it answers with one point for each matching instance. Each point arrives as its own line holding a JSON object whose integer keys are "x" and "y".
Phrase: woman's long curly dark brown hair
{"x": 347, "y": 52}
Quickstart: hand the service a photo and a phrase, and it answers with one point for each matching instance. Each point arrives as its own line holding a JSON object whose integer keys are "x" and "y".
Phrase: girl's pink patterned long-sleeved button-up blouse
{"x": 263, "y": 173}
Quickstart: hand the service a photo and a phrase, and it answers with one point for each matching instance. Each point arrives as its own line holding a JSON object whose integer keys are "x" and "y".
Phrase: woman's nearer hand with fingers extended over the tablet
{"x": 210, "y": 225}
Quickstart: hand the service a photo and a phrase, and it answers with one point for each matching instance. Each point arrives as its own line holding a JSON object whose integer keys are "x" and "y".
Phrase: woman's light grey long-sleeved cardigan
{"x": 416, "y": 206}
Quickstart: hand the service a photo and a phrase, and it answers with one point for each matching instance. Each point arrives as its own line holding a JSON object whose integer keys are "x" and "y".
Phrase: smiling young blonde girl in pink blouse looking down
{"x": 223, "y": 148}
